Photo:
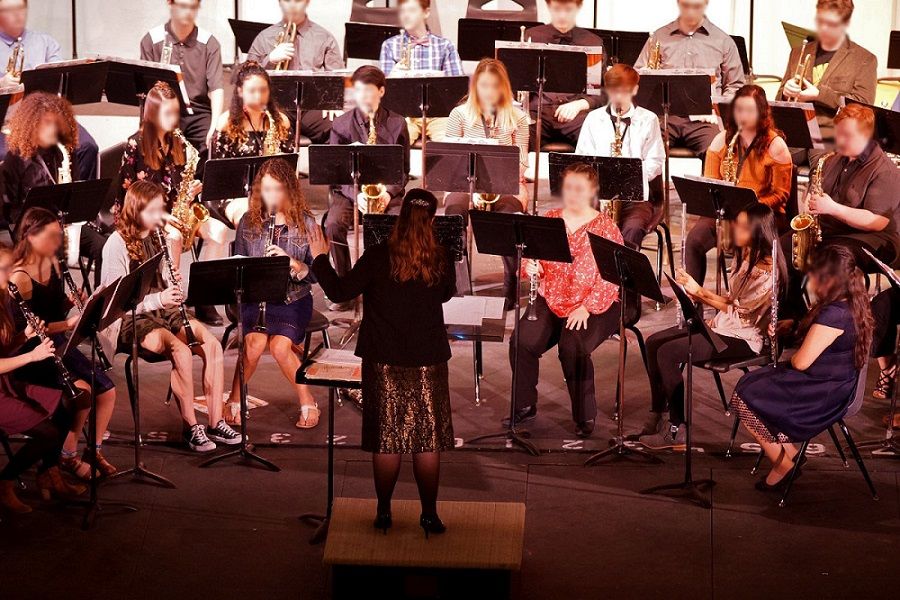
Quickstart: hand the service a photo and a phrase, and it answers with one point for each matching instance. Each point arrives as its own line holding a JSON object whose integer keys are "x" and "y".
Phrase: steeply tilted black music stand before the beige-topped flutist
{"x": 690, "y": 488}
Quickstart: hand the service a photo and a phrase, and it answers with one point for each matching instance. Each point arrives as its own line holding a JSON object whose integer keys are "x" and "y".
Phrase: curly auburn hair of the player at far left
{"x": 23, "y": 124}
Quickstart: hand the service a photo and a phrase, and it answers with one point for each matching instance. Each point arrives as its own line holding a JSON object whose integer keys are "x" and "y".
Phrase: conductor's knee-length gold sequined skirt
{"x": 406, "y": 409}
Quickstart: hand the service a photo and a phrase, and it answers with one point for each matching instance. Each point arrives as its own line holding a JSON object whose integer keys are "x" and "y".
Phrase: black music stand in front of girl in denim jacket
{"x": 239, "y": 281}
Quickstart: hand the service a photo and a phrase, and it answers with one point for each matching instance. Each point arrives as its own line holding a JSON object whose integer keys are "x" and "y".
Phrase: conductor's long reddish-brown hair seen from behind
{"x": 415, "y": 253}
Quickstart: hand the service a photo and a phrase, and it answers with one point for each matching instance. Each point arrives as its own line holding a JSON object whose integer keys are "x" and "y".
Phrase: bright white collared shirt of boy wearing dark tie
{"x": 642, "y": 139}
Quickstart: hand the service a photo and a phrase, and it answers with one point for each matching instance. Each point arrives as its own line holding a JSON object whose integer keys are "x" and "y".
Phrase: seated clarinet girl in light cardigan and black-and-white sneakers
{"x": 159, "y": 326}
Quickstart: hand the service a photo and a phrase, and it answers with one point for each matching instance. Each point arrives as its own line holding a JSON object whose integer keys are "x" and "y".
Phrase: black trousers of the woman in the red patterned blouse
{"x": 575, "y": 348}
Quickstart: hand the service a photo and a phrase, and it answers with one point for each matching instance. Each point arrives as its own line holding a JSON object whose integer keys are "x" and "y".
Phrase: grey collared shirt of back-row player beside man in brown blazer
{"x": 707, "y": 48}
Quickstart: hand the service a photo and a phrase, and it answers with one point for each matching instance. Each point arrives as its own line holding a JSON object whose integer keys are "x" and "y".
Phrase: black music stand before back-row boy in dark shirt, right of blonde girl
{"x": 540, "y": 70}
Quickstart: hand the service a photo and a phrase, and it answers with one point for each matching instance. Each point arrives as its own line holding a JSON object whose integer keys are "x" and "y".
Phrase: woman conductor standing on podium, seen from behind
{"x": 404, "y": 350}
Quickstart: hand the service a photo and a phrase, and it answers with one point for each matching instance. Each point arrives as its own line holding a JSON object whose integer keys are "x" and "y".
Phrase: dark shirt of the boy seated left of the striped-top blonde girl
{"x": 390, "y": 128}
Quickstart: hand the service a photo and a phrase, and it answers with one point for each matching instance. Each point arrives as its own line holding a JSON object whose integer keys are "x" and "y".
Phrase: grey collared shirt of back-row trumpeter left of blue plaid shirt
{"x": 316, "y": 49}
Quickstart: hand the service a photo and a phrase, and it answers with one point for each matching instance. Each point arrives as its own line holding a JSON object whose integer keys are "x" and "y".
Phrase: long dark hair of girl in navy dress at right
{"x": 839, "y": 278}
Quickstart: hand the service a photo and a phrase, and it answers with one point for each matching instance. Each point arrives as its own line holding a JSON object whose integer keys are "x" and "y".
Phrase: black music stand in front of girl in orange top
{"x": 717, "y": 200}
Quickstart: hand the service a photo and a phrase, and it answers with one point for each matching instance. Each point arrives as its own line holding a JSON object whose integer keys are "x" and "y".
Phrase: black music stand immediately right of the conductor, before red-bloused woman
{"x": 522, "y": 236}
